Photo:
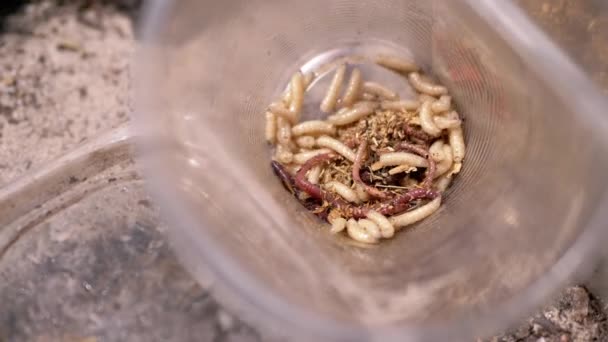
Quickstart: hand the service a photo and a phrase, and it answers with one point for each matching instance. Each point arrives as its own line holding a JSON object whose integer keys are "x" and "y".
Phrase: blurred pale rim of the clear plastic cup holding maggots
{"x": 260, "y": 305}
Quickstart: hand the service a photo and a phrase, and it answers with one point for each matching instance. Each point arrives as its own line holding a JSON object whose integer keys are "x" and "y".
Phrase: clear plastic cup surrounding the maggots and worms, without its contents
{"x": 523, "y": 216}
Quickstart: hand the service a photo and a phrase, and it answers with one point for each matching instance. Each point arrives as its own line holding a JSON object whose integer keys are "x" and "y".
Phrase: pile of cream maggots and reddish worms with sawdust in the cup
{"x": 376, "y": 163}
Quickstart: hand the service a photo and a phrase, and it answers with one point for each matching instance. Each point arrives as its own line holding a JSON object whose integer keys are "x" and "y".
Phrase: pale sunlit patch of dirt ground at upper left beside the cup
{"x": 64, "y": 77}
